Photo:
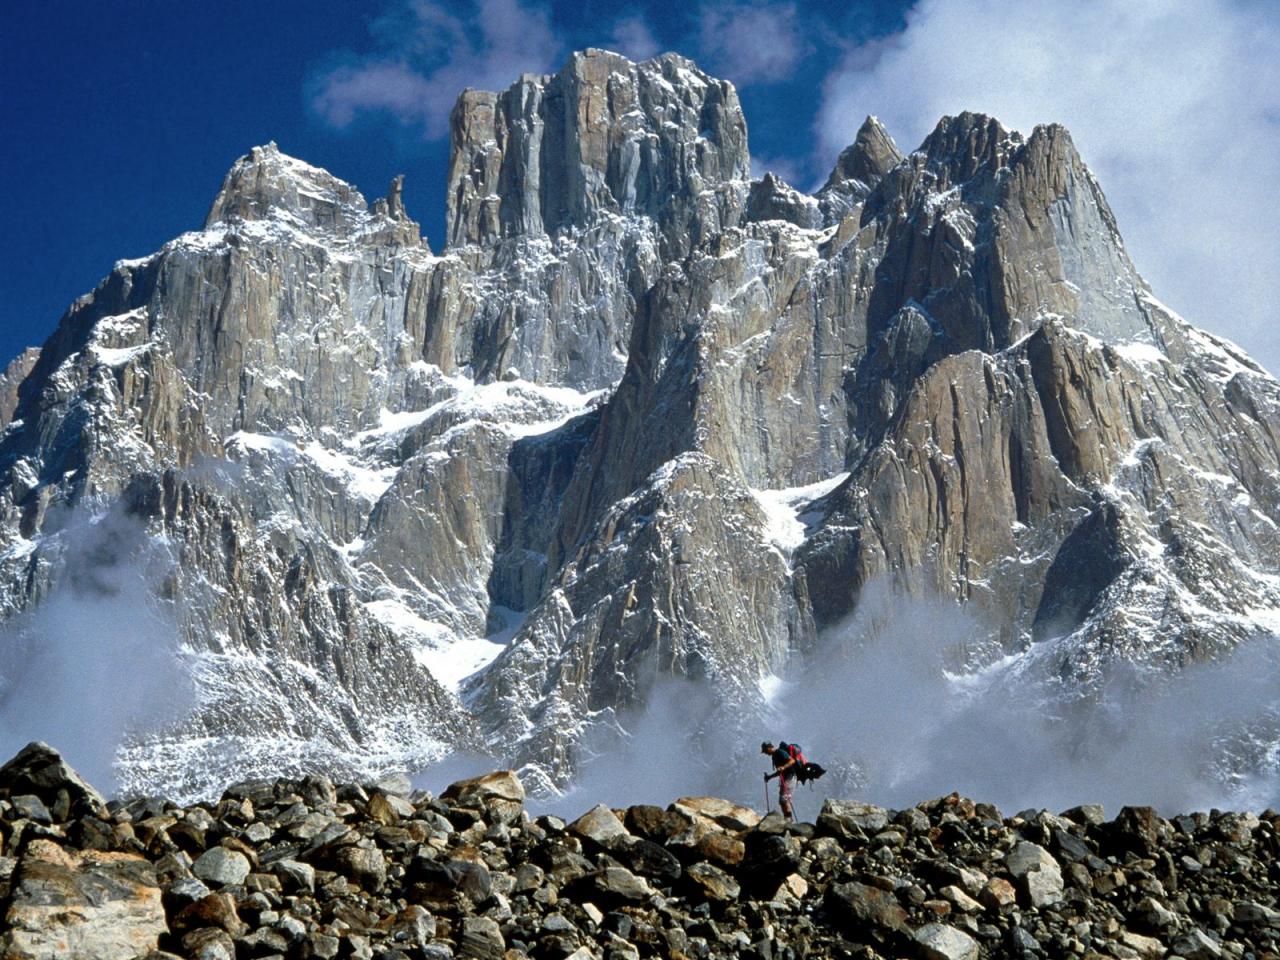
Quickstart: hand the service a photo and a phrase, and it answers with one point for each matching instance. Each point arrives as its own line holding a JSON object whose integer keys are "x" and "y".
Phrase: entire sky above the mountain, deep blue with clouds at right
{"x": 121, "y": 118}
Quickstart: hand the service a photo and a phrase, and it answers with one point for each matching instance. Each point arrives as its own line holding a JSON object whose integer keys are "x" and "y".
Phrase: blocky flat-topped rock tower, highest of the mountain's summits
{"x": 605, "y": 135}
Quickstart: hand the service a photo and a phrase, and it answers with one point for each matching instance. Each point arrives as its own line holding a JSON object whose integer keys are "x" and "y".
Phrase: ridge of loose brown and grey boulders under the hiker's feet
{"x": 310, "y": 870}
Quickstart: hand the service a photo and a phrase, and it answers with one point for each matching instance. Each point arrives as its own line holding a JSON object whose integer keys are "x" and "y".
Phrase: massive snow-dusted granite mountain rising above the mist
{"x": 643, "y": 418}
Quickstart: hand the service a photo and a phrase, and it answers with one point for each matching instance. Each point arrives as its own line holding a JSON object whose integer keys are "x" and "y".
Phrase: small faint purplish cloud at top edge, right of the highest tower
{"x": 752, "y": 43}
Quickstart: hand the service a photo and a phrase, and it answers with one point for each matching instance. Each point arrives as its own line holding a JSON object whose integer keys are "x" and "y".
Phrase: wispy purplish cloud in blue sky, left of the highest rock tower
{"x": 432, "y": 54}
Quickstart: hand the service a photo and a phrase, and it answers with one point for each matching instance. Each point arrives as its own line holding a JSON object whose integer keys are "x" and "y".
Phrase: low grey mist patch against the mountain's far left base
{"x": 98, "y": 660}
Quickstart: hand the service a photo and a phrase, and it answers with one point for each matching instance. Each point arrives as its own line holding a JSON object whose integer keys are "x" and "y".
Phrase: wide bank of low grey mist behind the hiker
{"x": 894, "y": 707}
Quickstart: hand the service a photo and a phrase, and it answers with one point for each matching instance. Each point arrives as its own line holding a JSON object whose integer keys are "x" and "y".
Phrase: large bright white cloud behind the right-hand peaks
{"x": 1174, "y": 104}
